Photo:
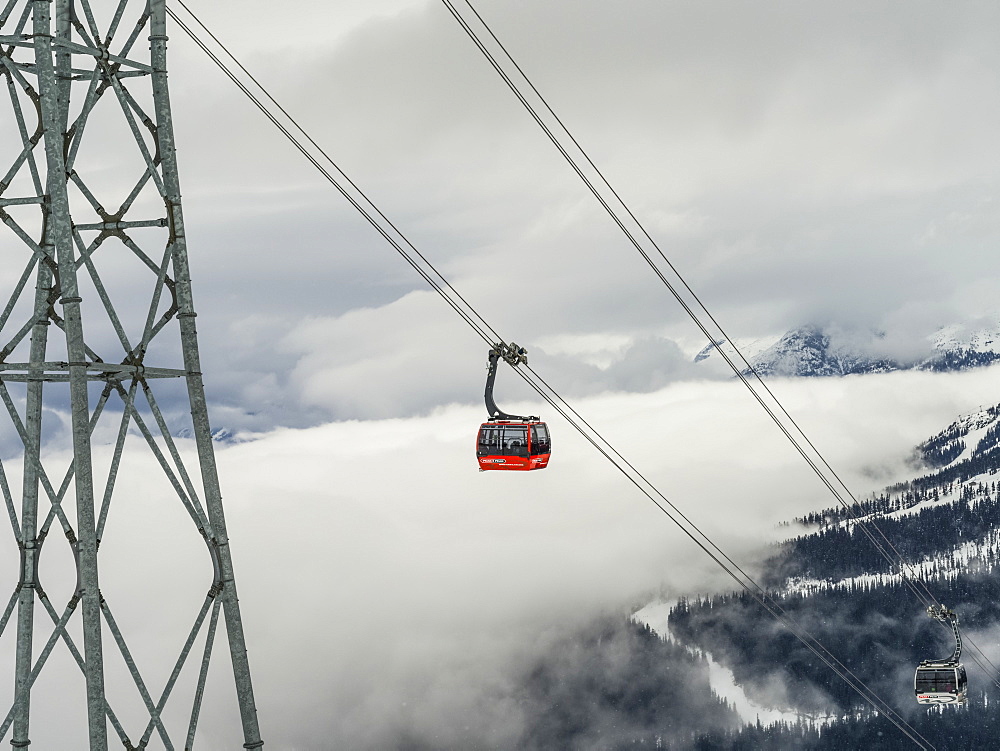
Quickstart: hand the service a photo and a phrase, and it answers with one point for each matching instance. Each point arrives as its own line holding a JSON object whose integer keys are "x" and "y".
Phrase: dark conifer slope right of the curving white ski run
{"x": 945, "y": 523}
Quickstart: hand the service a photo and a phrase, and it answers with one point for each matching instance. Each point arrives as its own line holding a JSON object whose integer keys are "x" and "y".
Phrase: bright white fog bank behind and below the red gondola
{"x": 414, "y": 590}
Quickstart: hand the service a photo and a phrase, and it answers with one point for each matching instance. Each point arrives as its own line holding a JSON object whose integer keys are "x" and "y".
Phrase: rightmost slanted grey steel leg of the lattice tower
{"x": 192, "y": 364}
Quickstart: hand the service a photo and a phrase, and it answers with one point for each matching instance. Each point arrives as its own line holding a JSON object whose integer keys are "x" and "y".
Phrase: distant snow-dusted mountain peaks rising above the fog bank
{"x": 831, "y": 350}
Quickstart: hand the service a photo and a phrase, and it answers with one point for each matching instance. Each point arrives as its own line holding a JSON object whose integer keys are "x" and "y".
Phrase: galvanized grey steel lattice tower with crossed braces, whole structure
{"x": 68, "y": 71}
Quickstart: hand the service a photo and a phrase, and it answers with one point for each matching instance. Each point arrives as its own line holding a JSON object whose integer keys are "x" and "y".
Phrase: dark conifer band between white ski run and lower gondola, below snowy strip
{"x": 880, "y": 633}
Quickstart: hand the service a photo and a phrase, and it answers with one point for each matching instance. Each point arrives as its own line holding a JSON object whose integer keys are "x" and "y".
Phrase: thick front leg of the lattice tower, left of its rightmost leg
{"x": 59, "y": 233}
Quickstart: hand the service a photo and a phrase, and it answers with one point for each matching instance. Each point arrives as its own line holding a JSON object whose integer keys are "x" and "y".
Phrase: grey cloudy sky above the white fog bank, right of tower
{"x": 799, "y": 164}
